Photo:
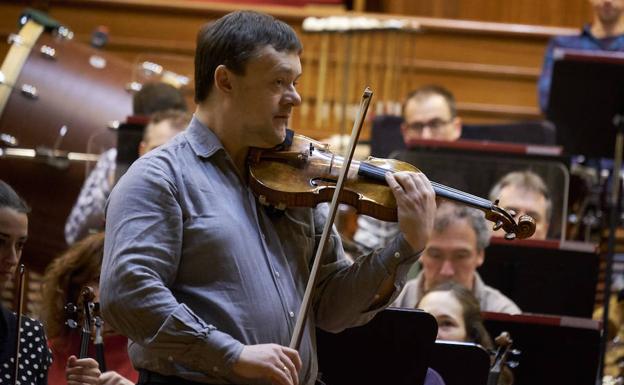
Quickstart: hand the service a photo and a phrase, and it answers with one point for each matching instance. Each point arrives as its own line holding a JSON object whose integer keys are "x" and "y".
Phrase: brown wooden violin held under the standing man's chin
{"x": 302, "y": 172}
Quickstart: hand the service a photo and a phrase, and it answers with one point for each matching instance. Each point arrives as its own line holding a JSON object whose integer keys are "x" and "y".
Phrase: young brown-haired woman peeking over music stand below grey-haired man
{"x": 458, "y": 315}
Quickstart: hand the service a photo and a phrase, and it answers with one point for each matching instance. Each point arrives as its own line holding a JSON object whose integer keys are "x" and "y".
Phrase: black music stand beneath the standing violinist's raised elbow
{"x": 393, "y": 348}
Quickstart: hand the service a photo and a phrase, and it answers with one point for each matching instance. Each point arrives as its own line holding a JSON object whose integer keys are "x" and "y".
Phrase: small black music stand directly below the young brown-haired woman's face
{"x": 460, "y": 363}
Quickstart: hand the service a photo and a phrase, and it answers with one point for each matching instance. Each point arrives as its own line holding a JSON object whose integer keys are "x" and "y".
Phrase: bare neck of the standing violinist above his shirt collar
{"x": 230, "y": 136}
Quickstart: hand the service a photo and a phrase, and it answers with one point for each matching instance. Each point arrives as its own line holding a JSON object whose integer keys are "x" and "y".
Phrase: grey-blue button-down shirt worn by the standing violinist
{"x": 194, "y": 268}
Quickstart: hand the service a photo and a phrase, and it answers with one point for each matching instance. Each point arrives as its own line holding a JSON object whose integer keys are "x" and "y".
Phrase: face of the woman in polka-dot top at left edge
{"x": 13, "y": 235}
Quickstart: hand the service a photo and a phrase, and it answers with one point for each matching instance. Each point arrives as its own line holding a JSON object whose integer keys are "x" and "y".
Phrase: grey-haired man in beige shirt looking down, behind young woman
{"x": 453, "y": 253}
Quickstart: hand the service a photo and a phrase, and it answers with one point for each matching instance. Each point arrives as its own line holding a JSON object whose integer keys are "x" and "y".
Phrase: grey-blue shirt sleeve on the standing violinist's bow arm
{"x": 141, "y": 257}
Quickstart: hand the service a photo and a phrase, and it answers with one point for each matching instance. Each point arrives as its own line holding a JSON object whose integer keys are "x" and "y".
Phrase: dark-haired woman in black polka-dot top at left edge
{"x": 34, "y": 356}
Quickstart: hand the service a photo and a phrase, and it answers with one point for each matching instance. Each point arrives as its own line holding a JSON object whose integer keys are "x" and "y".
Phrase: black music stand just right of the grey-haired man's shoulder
{"x": 546, "y": 277}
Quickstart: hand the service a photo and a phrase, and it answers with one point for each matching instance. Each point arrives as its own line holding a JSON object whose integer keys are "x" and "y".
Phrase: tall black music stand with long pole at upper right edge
{"x": 587, "y": 106}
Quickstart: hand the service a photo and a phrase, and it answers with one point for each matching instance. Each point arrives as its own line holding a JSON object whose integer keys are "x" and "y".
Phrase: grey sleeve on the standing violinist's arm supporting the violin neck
{"x": 346, "y": 292}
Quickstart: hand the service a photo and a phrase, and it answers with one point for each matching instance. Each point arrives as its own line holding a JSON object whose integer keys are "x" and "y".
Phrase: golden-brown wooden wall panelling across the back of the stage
{"x": 492, "y": 68}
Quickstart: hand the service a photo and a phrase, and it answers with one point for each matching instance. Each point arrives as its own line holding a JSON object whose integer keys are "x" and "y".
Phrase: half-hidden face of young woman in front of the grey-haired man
{"x": 448, "y": 312}
